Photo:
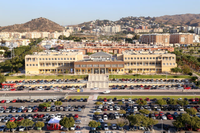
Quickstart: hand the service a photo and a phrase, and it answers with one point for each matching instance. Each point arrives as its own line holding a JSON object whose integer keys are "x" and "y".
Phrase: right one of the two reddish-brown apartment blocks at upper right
{"x": 181, "y": 38}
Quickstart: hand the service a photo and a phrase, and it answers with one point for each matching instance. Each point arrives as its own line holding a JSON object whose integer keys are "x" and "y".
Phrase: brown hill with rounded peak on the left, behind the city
{"x": 38, "y": 24}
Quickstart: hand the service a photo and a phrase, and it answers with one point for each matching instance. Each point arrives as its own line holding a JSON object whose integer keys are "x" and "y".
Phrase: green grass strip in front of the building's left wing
{"x": 23, "y": 77}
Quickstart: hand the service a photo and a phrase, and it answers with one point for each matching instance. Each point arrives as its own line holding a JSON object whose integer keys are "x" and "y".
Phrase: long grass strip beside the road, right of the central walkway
{"x": 151, "y": 97}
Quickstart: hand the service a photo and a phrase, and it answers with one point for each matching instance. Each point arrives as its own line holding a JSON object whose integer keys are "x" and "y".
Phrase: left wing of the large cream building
{"x": 52, "y": 61}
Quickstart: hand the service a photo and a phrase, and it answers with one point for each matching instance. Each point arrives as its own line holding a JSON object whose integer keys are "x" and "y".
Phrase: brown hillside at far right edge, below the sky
{"x": 182, "y": 19}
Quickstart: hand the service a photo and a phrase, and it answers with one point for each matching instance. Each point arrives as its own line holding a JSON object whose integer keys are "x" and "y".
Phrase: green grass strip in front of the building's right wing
{"x": 150, "y": 76}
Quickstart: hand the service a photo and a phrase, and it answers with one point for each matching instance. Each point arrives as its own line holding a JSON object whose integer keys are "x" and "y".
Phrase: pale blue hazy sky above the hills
{"x": 67, "y": 12}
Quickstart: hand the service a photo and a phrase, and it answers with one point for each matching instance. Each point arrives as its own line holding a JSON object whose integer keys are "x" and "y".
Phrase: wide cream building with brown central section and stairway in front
{"x": 100, "y": 62}
